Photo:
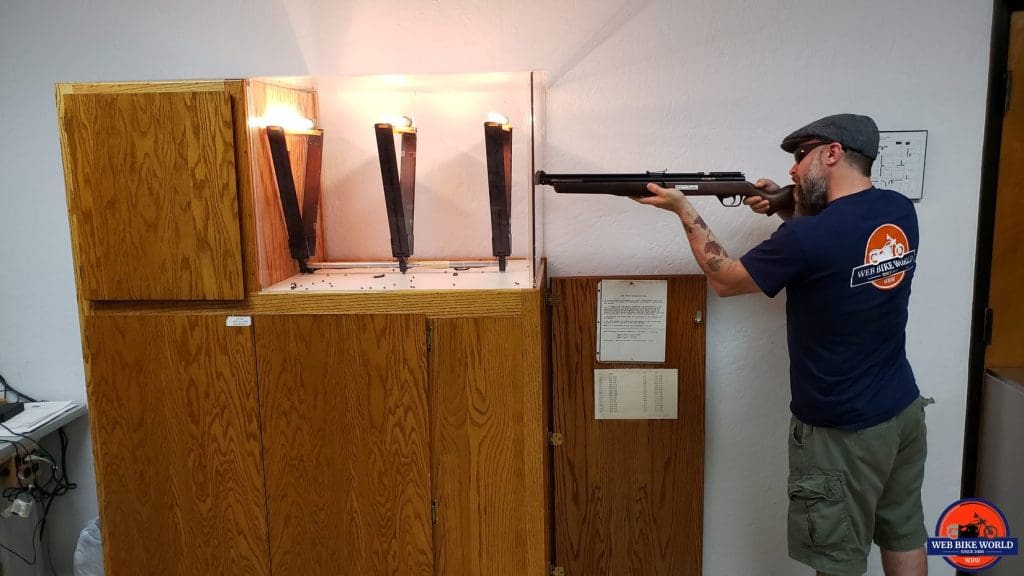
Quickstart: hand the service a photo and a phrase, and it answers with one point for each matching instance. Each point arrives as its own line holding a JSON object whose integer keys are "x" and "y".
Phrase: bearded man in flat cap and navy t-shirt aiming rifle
{"x": 858, "y": 441}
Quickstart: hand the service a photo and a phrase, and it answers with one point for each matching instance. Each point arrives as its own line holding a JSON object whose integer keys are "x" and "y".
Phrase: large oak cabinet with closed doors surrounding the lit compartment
{"x": 319, "y": 434}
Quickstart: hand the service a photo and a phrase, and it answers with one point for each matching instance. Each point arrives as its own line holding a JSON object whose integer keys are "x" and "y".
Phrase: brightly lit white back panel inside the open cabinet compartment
{"x": 452, "y": 216}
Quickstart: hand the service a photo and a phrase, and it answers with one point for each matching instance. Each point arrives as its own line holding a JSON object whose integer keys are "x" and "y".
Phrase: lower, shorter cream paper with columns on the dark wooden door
{"x": 636, "y": 394}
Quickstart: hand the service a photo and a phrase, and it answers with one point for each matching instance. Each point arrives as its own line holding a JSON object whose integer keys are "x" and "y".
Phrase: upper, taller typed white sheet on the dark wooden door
{"x": 631, "y": 320}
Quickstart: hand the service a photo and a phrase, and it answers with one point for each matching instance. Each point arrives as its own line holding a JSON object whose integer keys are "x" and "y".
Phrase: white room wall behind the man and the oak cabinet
{"x": 635, "y": 86}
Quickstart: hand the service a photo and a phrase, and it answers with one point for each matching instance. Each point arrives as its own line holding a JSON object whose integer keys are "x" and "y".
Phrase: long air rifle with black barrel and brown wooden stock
{"x": 730, "y": 188}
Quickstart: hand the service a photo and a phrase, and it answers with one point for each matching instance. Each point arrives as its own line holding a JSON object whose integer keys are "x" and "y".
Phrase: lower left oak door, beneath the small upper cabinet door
{"x": 175, "y": 418}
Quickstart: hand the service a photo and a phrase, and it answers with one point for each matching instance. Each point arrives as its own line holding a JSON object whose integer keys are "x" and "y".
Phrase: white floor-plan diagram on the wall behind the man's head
{"x": 901, "y": 164}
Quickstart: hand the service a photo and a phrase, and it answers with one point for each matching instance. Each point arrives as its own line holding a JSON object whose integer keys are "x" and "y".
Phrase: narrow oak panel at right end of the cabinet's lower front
{"x": 478, "y": 390}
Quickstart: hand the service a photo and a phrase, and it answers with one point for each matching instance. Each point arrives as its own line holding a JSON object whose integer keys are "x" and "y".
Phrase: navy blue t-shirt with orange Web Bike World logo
{"x": 847, "y": 272}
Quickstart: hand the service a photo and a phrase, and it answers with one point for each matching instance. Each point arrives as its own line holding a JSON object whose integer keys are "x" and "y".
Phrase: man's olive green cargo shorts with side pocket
{"x": 848, "y": 489}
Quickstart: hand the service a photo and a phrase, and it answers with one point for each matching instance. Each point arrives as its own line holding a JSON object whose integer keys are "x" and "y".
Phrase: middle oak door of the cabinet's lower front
{"x": 347, "y": 444}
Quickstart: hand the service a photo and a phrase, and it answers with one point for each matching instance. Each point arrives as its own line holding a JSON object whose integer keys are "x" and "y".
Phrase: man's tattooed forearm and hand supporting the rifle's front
{"x": 727, "y": 276}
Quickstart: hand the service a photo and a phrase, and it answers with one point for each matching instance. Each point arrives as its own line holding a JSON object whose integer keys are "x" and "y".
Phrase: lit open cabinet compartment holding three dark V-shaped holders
{"x": 451, "y": 220}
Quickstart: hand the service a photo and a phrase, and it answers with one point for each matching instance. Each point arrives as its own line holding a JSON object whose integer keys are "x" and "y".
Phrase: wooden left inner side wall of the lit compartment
{"x": 276, "y": 263}
